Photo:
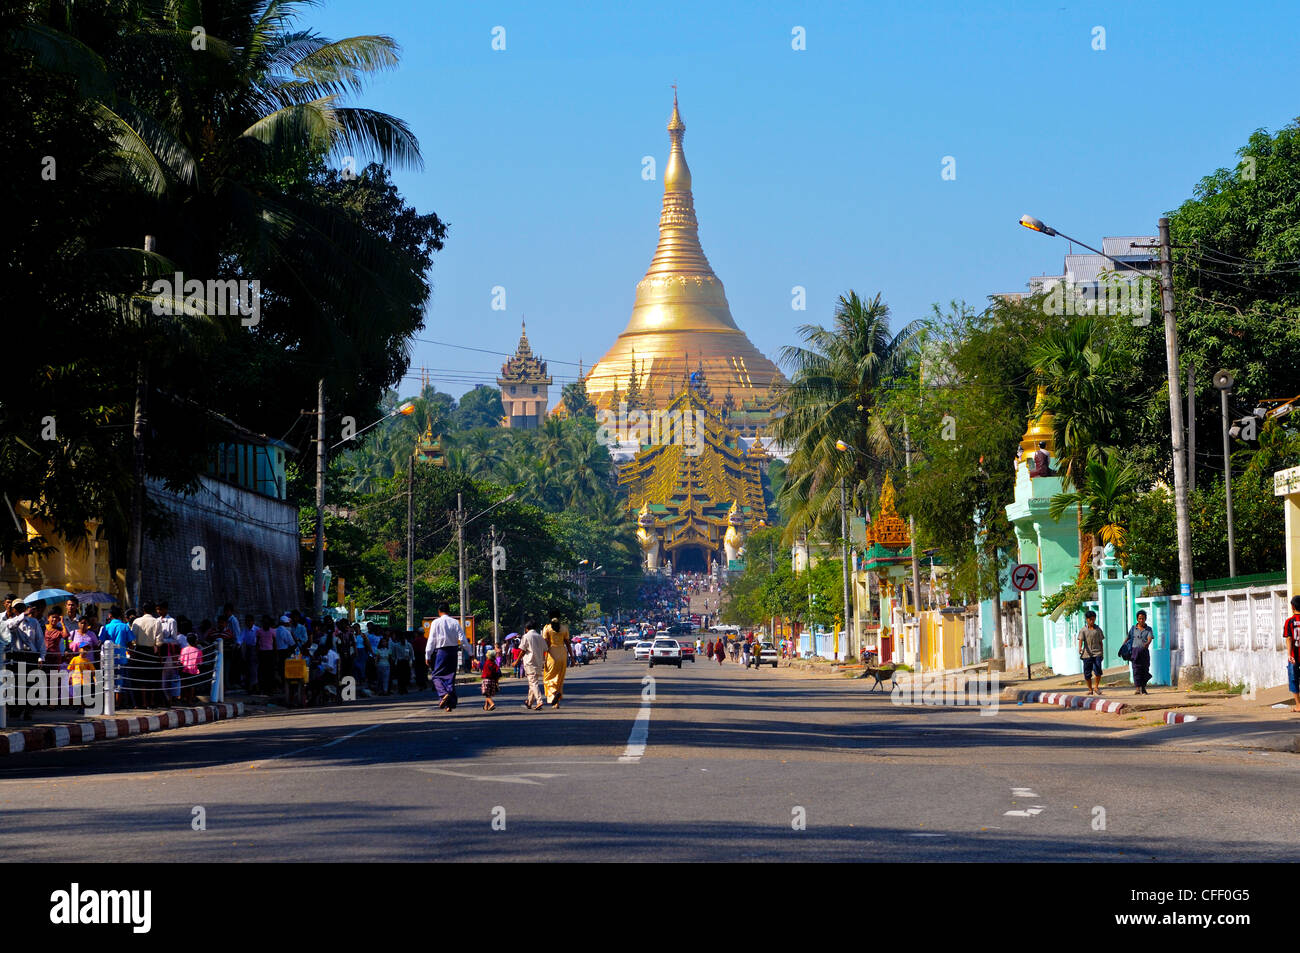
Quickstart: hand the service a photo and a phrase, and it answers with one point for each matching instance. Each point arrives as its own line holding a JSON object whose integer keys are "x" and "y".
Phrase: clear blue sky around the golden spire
{"x": 820, "y": 168}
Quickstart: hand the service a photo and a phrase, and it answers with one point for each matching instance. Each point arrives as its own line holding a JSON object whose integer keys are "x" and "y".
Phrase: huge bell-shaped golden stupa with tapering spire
{"x": 682, "y": 332}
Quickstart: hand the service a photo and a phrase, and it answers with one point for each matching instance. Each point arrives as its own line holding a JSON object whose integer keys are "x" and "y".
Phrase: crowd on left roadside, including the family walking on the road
{"x": 161, "y": 660}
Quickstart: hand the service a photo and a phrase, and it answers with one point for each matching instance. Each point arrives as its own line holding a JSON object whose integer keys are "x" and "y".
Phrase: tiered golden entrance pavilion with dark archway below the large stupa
{"x": 687, "y": 495}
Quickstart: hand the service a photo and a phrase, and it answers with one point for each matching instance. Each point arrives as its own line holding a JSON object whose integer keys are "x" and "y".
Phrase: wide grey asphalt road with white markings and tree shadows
{"x": 722, "y": 764}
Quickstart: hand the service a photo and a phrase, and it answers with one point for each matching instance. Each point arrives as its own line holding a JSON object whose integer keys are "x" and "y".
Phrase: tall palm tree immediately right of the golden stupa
{"x": 834, "y": 396}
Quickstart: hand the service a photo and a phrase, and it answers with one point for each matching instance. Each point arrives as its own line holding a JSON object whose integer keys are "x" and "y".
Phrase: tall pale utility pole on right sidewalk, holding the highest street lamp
{"x": 1190, "y": 656}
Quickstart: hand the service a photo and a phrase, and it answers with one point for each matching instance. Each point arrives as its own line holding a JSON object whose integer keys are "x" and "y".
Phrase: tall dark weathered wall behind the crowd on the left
{"x": 250, "y": 547}
